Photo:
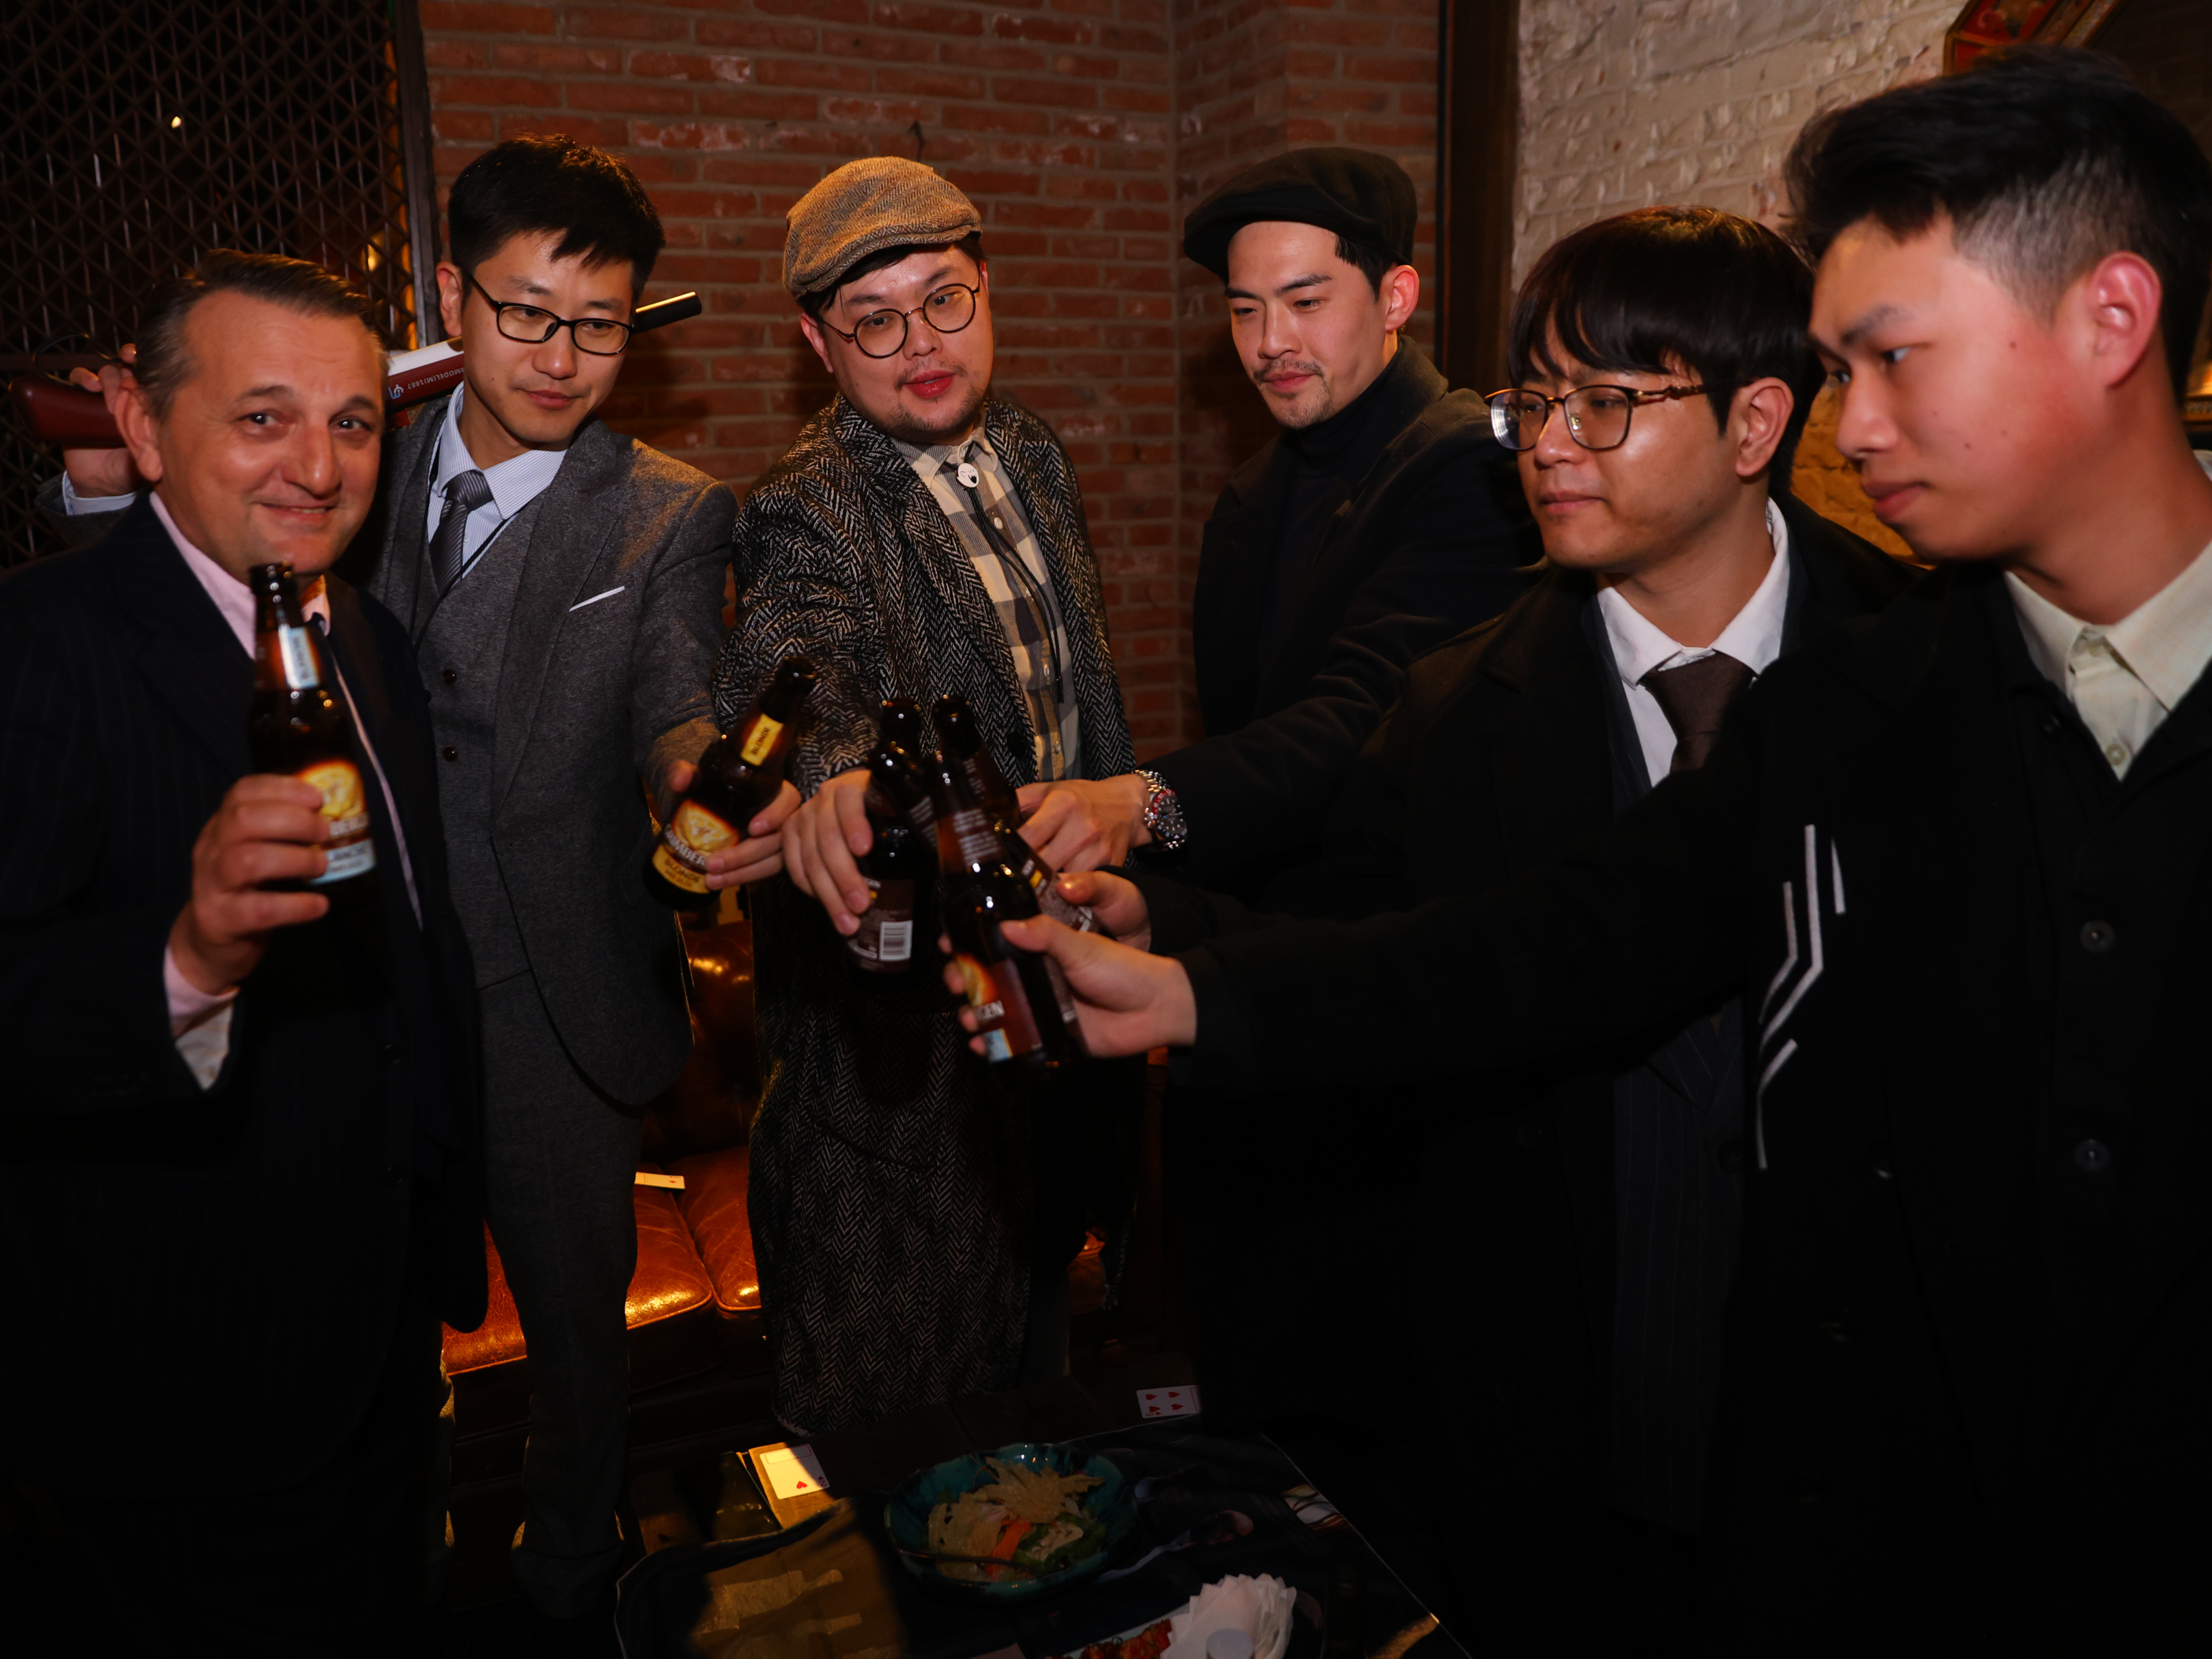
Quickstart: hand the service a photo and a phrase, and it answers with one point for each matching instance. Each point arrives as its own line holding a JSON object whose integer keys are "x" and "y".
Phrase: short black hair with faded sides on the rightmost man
{"x": 2045, "y": 160}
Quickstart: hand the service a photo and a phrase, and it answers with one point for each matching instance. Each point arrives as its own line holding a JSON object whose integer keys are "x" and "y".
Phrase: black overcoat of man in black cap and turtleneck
{"x": 1430, "y": 541}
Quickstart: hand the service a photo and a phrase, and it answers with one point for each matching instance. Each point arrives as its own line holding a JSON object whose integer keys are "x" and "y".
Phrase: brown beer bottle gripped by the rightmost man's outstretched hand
{"x": 1023, "y": 1005}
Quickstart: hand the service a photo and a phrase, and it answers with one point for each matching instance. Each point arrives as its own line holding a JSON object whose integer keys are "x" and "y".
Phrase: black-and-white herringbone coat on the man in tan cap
{"x": 890, "y": 1182}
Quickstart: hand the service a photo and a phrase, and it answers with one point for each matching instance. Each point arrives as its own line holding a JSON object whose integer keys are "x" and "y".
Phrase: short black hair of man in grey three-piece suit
{"x": 554, "y": 185}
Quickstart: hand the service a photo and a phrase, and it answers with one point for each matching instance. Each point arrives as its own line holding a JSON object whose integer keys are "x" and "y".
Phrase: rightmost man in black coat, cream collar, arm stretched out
{"x": 1954, "y": 862}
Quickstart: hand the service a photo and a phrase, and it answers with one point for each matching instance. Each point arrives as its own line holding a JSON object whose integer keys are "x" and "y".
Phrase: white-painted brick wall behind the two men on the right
{"x": 1631, "y": 103}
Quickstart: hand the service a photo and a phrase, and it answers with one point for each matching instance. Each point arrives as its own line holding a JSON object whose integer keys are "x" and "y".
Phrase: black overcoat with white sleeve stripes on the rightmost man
{"x": 1906, "y": 1459}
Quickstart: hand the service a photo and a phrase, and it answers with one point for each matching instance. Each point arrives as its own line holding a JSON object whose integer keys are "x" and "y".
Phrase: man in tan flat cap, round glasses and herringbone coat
{"x": 921, "y": 536}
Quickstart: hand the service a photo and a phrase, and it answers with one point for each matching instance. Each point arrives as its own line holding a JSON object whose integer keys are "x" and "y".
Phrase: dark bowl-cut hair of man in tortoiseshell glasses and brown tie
{"x": 1676, "y": 291}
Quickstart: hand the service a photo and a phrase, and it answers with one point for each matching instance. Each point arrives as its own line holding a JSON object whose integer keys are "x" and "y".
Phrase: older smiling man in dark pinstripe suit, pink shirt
{"x": 240, "y": 1167}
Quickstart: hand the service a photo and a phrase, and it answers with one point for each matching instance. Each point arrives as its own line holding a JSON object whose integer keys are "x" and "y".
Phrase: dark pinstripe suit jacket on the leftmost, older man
{"x": 207, "y": 1273}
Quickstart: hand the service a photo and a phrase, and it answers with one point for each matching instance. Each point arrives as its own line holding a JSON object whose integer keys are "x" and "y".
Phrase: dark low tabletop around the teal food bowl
{"x": 833, "y": 1589}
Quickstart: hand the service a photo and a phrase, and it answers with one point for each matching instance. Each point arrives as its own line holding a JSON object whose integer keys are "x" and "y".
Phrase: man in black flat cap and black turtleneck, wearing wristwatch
{"x": 1379, "y": 525}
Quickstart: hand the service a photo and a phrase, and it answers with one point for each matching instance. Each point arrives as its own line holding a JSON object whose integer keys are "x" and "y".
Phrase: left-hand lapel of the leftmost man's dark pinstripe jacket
{"x": 189, "y": 654}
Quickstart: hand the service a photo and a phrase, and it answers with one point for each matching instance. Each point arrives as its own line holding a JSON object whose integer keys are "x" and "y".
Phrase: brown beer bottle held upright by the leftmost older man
{"x": 302, "y": 729}
